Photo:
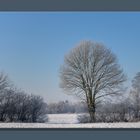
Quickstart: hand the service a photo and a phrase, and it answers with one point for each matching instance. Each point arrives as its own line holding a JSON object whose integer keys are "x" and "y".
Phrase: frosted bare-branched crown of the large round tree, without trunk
{"x": 91, "y": 66}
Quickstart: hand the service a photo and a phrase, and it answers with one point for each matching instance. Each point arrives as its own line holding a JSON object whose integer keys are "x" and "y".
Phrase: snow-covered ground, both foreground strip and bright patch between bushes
{"x": 68, "y": 121}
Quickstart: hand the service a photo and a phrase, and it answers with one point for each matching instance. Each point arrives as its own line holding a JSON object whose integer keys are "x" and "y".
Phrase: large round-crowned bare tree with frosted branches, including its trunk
{"x": 91, "y": 72}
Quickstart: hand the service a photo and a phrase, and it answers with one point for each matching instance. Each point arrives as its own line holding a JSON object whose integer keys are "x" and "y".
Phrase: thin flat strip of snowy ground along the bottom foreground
{"x": 88, "y": 125}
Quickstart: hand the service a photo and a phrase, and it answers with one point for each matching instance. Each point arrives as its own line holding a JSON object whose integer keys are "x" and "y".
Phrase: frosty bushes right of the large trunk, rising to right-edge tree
{"x": 127, "y": 108}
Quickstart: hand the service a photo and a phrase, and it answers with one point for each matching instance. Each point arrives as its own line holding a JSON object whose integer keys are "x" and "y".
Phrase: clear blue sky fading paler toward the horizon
{"x": 33, "y": 45}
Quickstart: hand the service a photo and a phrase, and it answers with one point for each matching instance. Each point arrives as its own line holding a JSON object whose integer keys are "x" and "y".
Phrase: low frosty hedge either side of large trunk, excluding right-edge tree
{"x": 125, "y": 111}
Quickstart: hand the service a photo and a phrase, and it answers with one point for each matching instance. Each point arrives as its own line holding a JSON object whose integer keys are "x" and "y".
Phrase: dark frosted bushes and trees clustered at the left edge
{"x": 18, "y": 106}
